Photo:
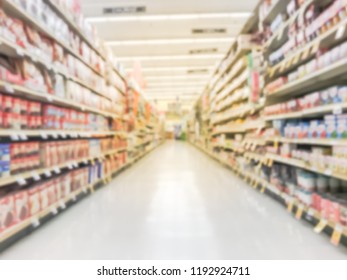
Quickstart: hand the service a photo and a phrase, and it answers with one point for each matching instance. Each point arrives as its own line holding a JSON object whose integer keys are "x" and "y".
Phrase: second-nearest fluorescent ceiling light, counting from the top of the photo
{"x": 170, "y": 41}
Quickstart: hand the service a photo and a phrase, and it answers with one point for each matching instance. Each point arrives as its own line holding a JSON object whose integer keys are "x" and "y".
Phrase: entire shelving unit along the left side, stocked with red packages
{"x": 101, "y": 121}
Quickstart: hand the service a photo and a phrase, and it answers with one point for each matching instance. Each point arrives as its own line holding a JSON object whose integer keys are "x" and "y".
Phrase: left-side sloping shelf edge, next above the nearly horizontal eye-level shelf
{"x": 22, "y": 91}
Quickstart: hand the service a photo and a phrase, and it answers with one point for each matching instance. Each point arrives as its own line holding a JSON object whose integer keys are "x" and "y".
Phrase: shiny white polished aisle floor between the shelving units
{"x": 176, "y": 203}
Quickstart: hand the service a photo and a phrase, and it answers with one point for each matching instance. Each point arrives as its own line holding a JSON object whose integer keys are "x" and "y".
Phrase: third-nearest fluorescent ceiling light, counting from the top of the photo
{"x": 171, "y": 57}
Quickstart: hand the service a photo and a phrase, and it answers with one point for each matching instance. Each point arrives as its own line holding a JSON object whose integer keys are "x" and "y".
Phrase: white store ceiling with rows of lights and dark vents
{"x": 175, "y": 61}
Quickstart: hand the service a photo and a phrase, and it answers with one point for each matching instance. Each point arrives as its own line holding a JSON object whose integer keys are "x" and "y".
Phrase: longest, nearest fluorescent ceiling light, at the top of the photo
{"x": 169, "y": 17}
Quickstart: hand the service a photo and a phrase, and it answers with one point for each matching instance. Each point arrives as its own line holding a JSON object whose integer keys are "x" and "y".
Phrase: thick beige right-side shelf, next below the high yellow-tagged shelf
{"x": 312, "y": 81}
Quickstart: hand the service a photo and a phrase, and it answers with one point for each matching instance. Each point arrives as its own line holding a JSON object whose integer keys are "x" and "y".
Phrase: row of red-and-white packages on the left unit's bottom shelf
{"x": 20, "y": 205}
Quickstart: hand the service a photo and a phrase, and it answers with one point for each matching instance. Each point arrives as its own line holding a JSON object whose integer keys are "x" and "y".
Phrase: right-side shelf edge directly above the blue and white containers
{"x": 310, "y": 113}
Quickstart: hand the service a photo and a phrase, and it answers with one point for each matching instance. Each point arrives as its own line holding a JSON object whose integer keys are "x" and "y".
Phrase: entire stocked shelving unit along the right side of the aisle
{"x": 271, "y": 140}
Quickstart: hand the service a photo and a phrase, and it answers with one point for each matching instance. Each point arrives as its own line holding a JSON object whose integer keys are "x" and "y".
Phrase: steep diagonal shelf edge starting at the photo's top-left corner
{"x": 13, "y": 9}
